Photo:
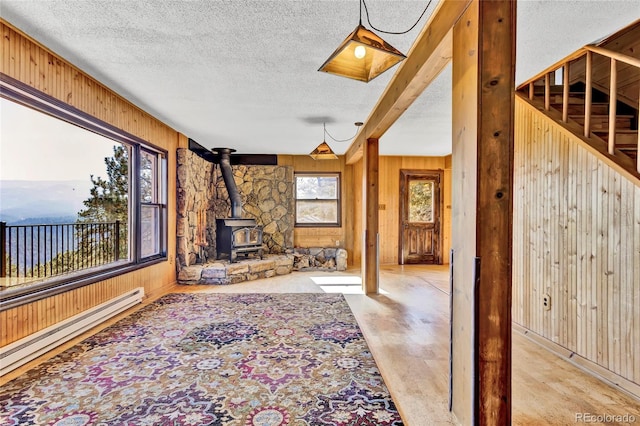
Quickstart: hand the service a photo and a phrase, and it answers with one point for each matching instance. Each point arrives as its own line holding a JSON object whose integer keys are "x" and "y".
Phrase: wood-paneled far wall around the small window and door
{"x": 350, "y": 234}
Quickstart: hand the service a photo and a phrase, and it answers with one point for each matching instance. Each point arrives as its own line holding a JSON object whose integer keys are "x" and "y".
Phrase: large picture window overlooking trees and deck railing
{"x": 81, "y": 199}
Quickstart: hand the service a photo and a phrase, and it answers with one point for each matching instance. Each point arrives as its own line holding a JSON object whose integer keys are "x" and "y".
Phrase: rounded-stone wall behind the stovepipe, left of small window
{"x": 267, "y": 197}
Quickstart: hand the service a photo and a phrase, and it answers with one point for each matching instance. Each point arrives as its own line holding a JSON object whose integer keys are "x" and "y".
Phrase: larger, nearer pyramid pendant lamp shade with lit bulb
{"x": 379, "y": 56}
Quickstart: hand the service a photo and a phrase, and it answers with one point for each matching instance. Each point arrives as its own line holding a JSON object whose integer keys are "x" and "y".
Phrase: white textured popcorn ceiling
{"x": 243, "y": 74}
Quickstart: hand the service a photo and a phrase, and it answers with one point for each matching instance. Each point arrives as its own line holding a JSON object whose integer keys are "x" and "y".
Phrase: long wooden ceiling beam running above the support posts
{"x": 428, "y": 56}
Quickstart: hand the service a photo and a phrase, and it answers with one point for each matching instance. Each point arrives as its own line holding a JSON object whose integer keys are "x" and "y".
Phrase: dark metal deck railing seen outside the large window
{"x": 40, "y": 251}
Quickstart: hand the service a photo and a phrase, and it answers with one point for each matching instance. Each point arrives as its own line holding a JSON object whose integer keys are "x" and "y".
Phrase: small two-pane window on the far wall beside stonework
{"x": 317, "y": 199}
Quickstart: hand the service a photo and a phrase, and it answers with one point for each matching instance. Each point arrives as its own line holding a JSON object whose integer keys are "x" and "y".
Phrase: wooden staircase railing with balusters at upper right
{"x": 548, "y": 76}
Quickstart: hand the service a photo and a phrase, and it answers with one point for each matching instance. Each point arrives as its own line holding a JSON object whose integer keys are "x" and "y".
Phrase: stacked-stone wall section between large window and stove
{"x": 196, "y": 193}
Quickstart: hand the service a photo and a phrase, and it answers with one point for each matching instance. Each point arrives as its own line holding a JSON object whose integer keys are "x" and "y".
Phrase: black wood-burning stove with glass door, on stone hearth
{"x": 238, "y": 237}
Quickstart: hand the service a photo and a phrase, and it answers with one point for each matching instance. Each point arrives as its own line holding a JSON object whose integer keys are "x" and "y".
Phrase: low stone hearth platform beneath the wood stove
{"x": 223, "y": 272}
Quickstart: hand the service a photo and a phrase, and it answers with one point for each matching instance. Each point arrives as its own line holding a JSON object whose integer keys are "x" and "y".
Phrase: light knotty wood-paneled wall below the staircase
{"x": 577, "y": 241}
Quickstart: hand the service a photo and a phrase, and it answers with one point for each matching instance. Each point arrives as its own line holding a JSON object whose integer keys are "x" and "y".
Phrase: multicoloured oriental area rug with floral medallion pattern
{"x": 212, "y": 359}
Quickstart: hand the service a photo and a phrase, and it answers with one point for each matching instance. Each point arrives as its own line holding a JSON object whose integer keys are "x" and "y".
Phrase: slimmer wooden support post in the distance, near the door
{"x": 370, "y": 216}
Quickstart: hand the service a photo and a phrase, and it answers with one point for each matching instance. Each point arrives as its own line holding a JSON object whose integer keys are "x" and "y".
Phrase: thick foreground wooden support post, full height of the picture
{"x": 483, "y": 115}
